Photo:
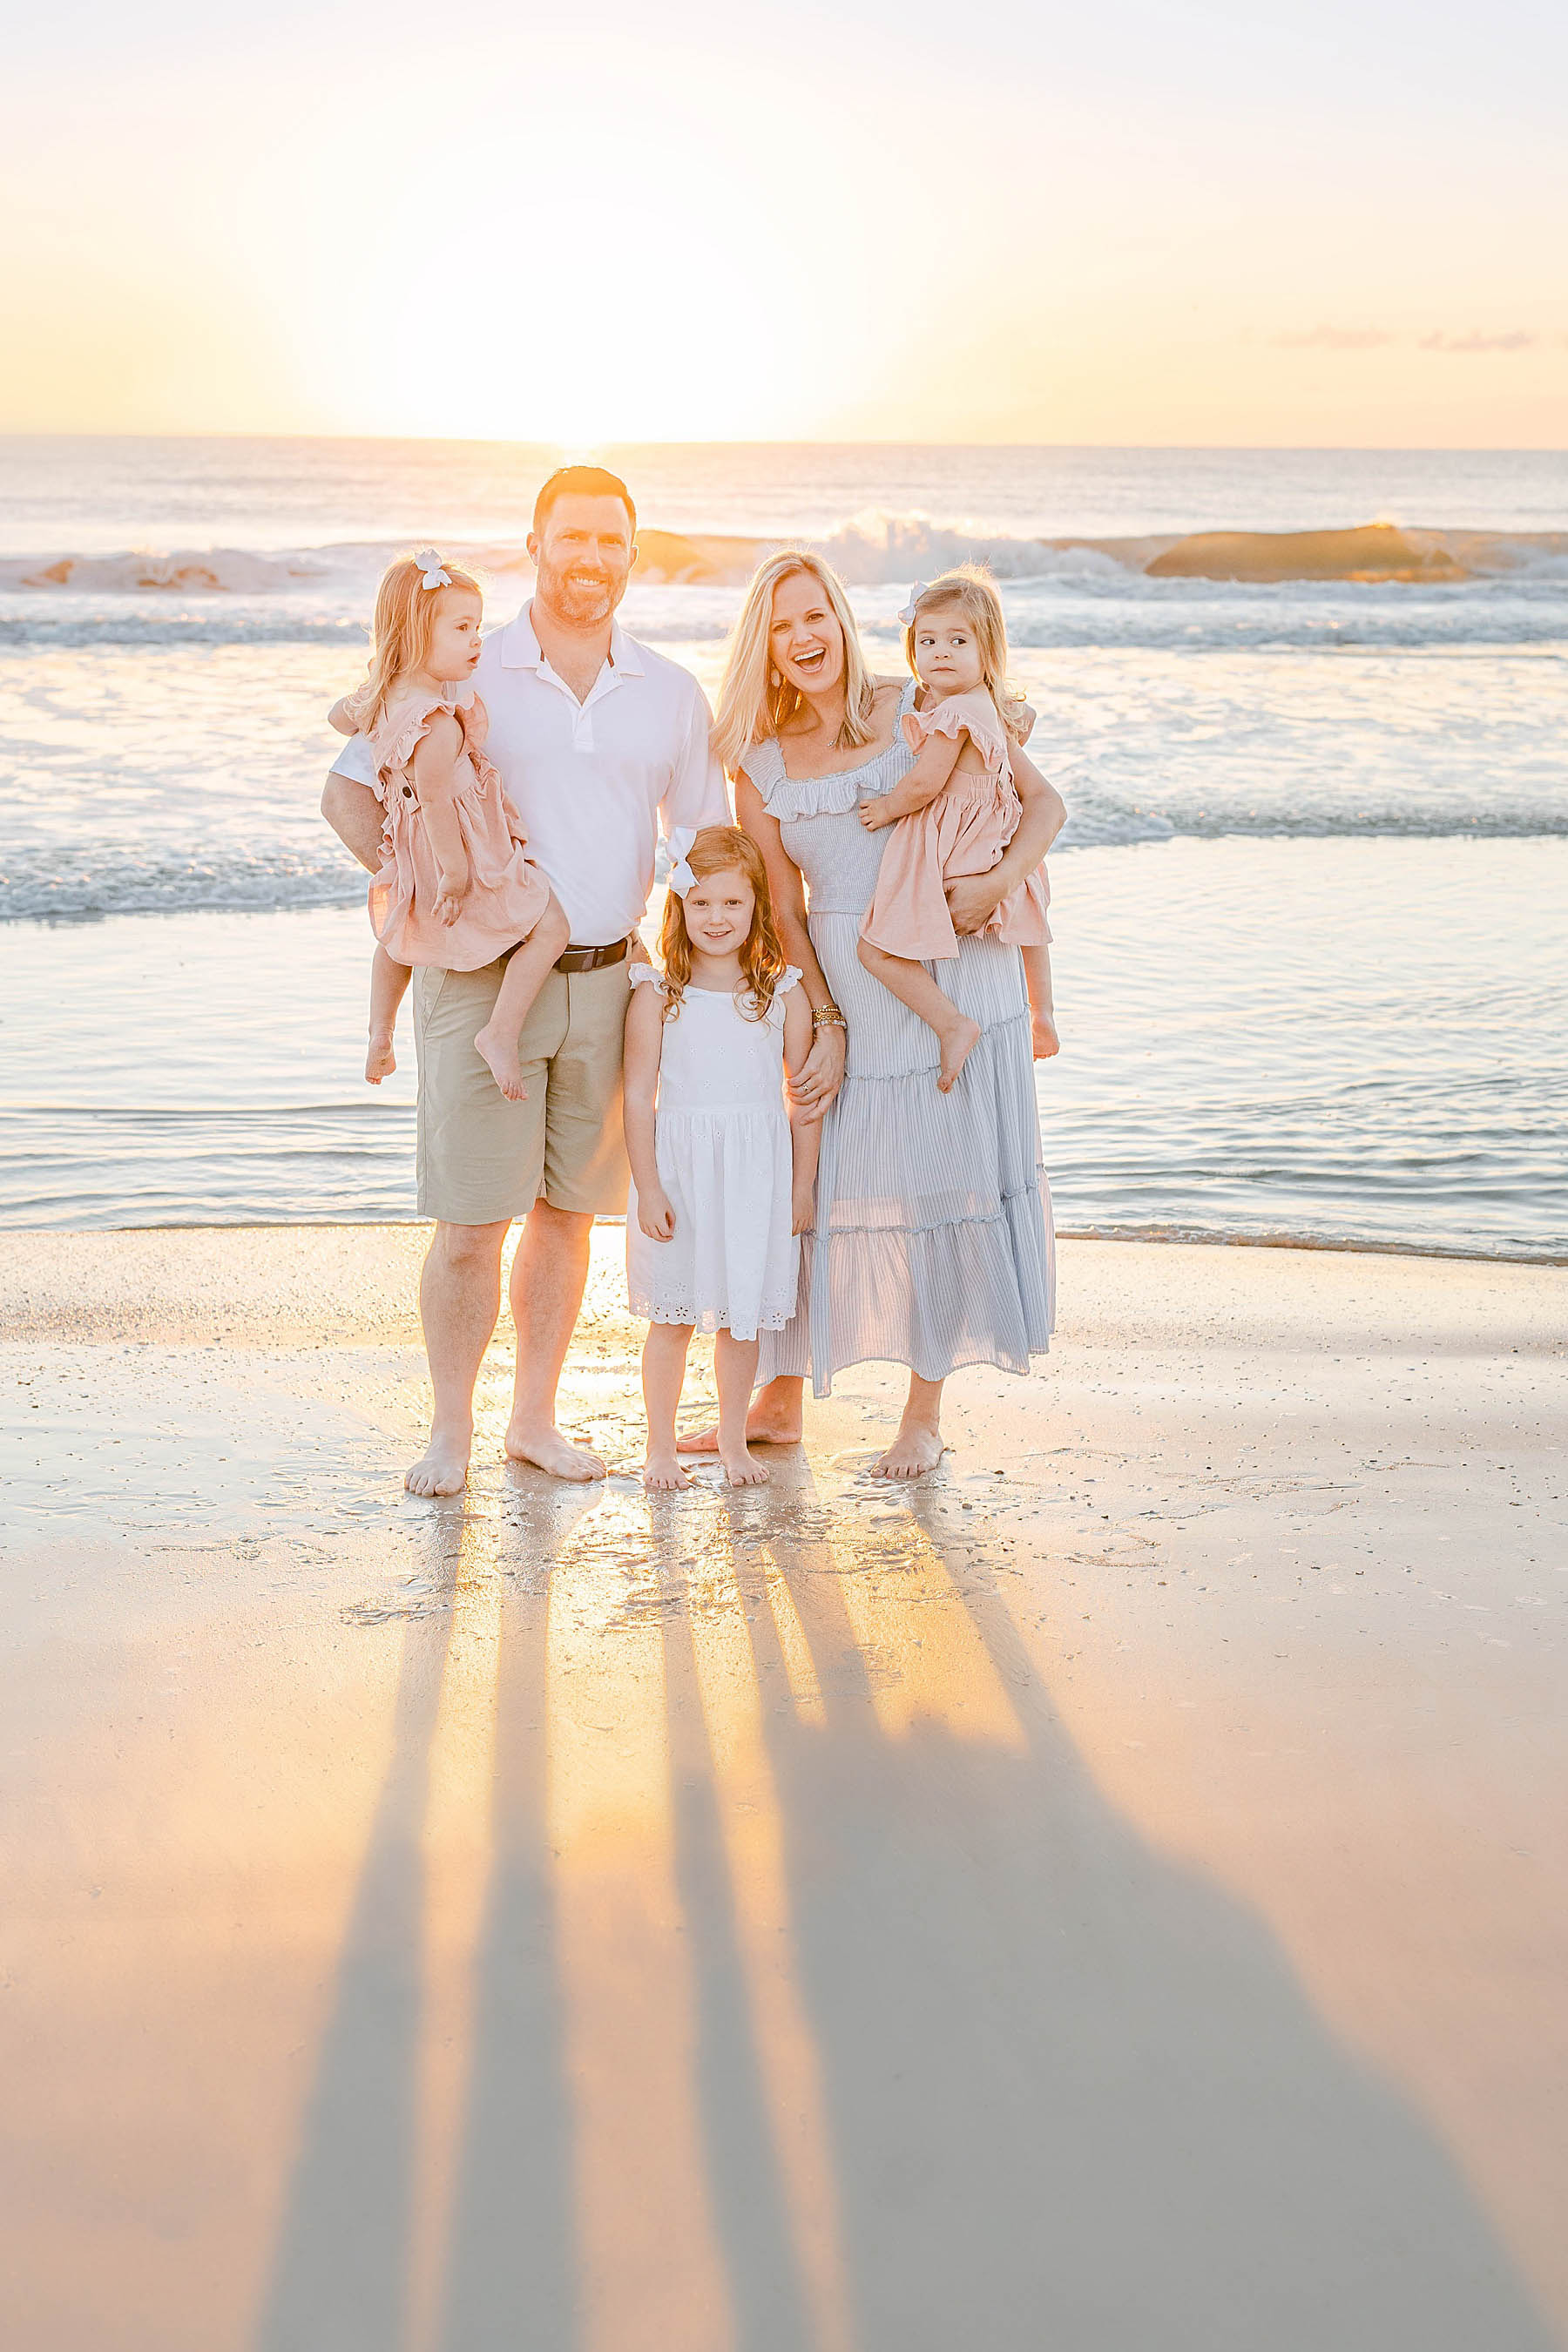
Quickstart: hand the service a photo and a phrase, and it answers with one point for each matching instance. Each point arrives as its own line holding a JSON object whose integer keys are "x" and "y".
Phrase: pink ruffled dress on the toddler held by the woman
{"x": 963, "y": 831}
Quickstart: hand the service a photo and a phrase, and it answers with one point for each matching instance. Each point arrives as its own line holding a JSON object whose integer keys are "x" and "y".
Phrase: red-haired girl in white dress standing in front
{"x": 723, "y": 1175}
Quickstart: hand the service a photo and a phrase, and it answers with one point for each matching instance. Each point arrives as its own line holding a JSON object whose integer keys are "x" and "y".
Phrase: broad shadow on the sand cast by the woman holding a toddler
{"x": 1076, "y": 2092}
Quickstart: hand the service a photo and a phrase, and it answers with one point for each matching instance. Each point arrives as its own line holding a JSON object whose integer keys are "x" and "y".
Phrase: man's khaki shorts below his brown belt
{"x": 481, "y": 1158}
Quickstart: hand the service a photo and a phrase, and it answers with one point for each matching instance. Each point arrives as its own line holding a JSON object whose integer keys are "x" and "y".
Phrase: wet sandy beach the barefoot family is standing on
{"x": 1111, "y": 1897}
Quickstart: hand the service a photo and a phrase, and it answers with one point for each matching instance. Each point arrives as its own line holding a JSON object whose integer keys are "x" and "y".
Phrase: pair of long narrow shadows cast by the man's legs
{"x": 342, "y": 2269}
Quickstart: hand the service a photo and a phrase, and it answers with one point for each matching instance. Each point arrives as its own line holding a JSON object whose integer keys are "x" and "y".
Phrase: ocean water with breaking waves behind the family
{"x": 1313, "y": 961}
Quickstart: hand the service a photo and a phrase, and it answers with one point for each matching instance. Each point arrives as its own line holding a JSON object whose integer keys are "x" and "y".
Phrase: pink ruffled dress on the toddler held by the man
{"x": 507, "y": 890}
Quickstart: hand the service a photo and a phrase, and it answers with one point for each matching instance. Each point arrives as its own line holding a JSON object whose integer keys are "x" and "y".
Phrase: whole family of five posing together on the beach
{"x": 826, "y": 1151}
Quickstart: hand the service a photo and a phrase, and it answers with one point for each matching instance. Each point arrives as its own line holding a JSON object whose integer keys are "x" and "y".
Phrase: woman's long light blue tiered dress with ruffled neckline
{"x": 934, "y": 1238}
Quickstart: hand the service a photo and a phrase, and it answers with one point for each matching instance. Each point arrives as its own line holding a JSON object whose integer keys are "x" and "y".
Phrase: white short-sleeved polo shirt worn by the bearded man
{"x": 594, "y": 780}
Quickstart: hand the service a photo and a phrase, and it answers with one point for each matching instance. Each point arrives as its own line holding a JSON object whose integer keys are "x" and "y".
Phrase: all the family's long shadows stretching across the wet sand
{"x": 1073, "y": 2094}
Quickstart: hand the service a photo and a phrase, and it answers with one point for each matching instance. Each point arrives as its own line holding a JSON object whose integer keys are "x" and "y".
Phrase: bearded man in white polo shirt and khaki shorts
{"x": 598, "y": 742}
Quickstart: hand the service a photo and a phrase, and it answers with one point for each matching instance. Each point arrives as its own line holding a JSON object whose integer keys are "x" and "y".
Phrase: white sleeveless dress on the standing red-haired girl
{"x": 723, "y": 1147}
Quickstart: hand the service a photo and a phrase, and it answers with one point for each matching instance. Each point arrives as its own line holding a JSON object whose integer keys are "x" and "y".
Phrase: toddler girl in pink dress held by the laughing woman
{"x": 953, "y": 815}
